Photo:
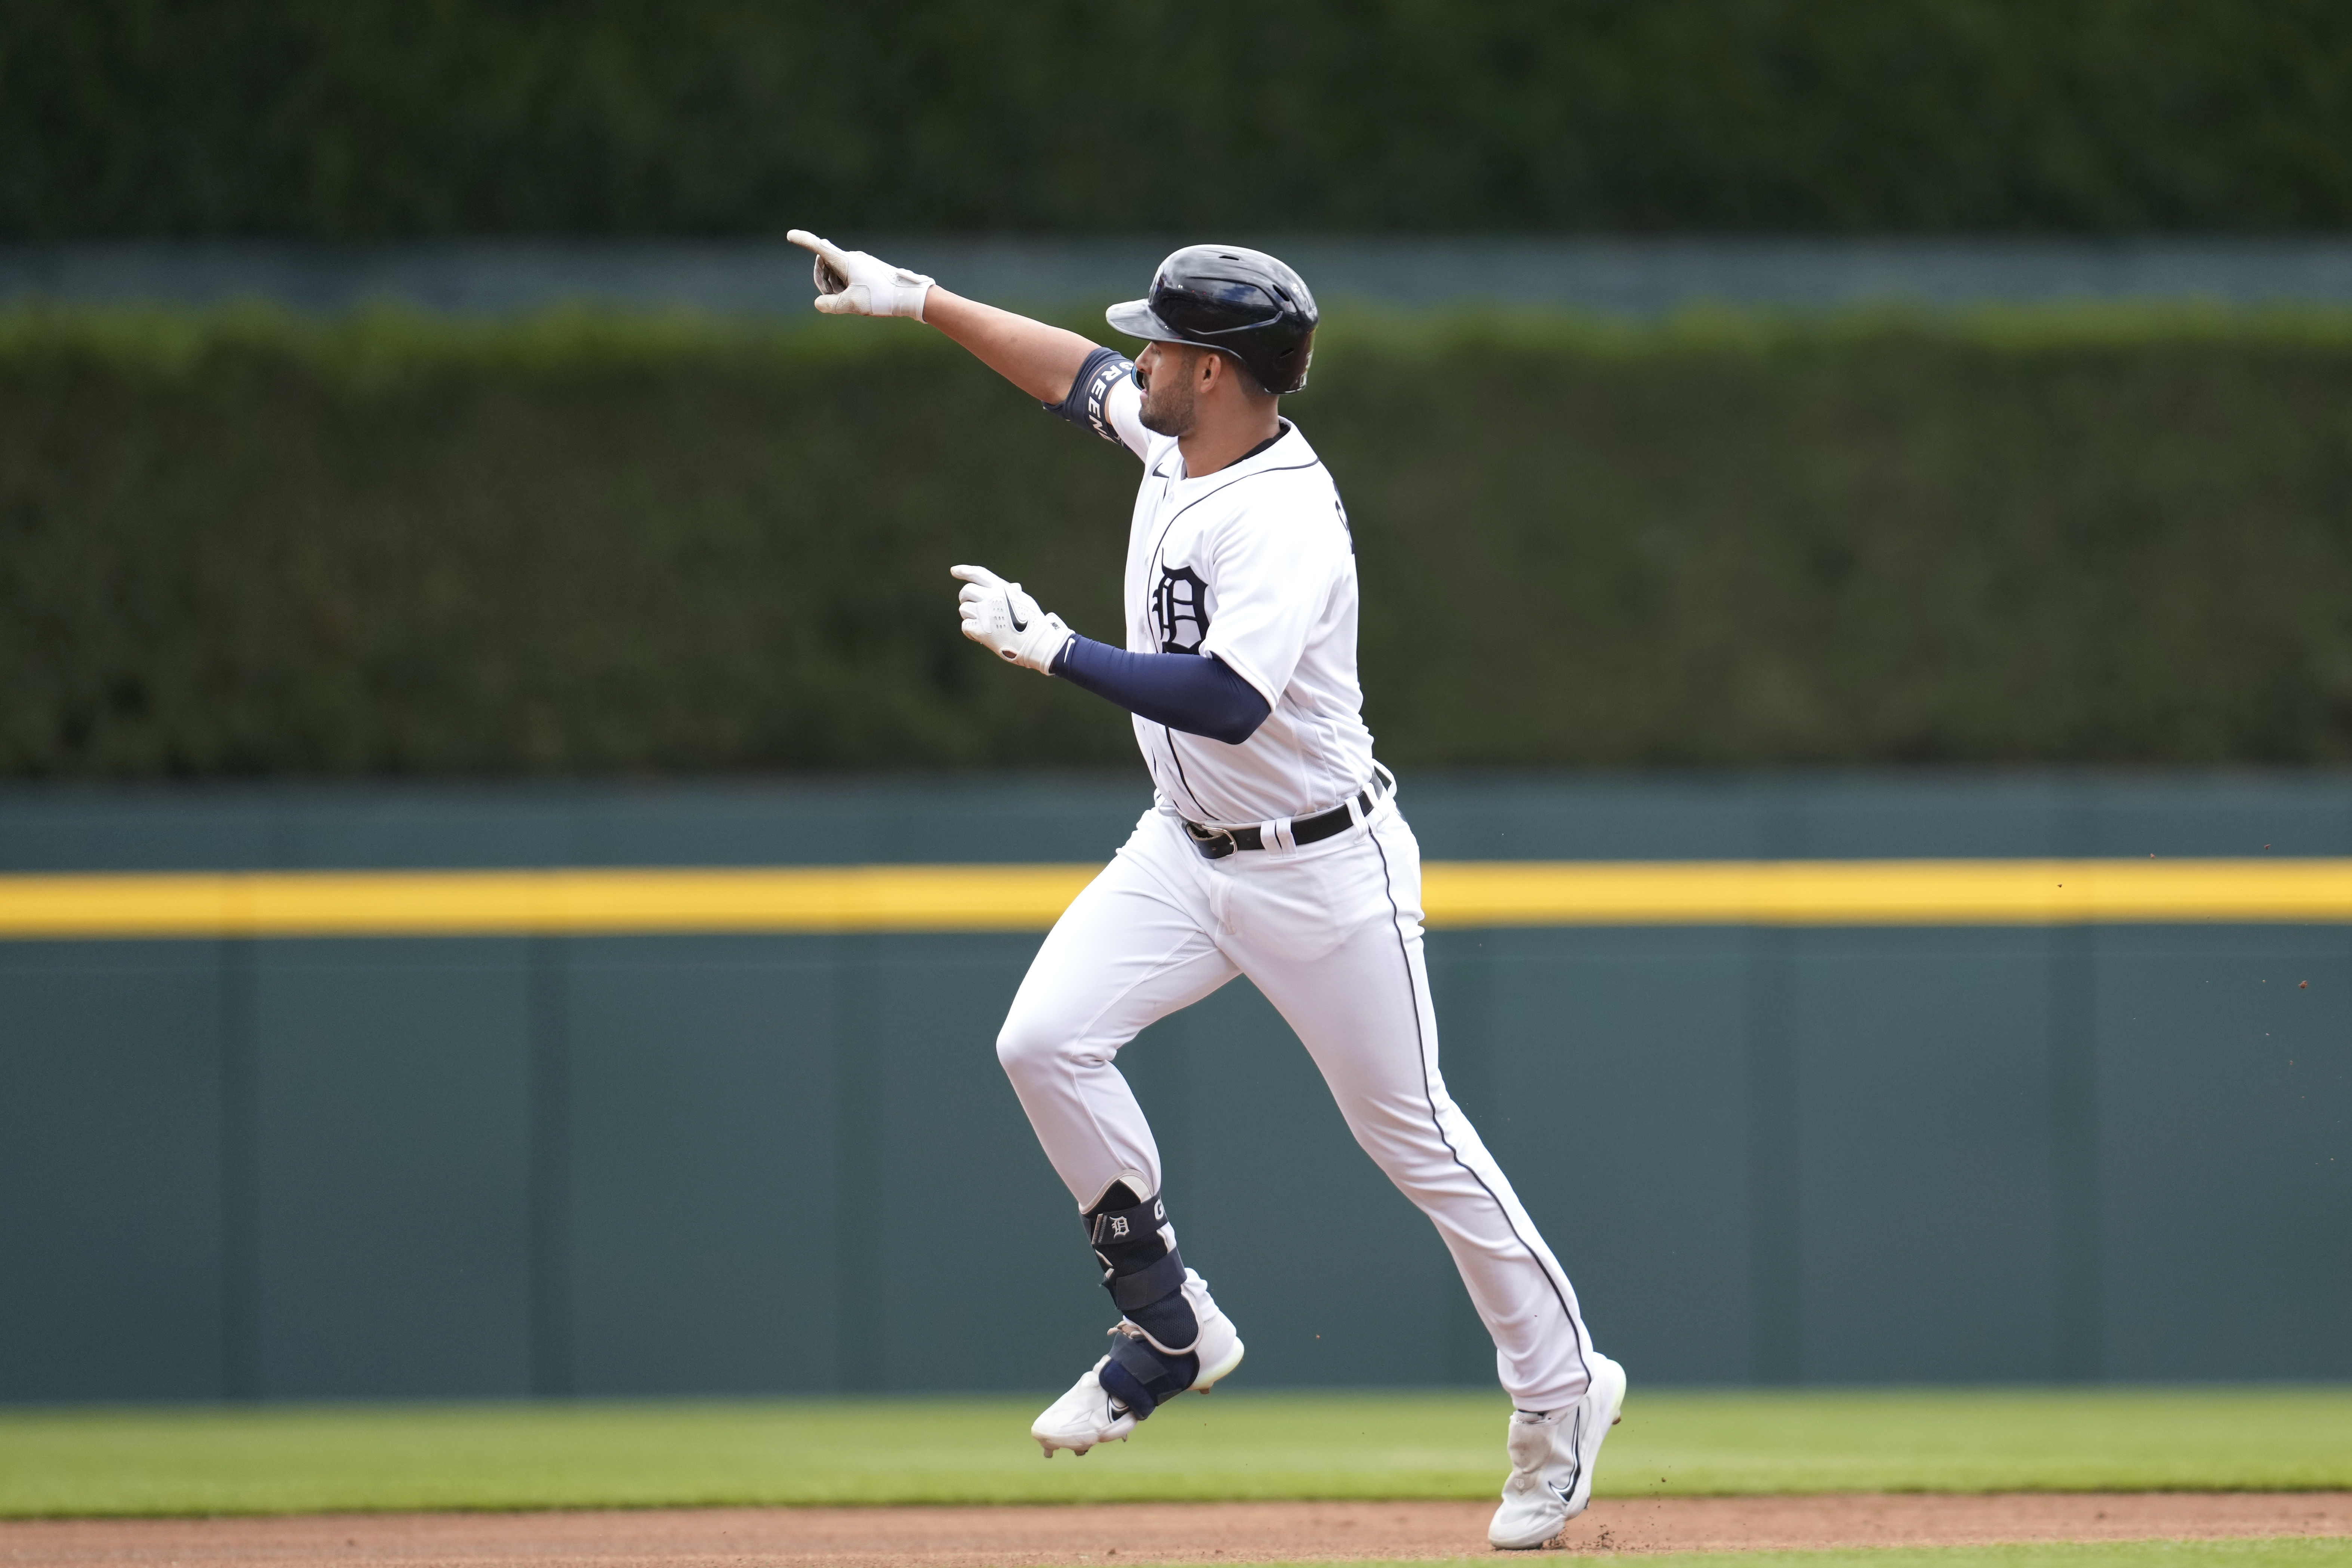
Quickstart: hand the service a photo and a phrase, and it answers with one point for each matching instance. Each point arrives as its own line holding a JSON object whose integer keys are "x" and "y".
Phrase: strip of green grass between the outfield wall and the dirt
{"x": 302, "y": 1459}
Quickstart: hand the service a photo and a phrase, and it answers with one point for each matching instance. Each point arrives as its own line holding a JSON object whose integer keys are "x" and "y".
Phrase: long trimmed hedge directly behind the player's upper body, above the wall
{"x": 258, "y": 547}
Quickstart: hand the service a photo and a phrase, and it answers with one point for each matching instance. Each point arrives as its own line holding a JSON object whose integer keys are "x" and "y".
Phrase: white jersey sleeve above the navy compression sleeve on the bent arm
{"x": 1274, "y": 582}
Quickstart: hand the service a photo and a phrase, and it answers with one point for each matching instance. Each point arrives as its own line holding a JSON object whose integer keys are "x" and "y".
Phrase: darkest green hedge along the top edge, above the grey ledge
{"x": 747, "y": 116}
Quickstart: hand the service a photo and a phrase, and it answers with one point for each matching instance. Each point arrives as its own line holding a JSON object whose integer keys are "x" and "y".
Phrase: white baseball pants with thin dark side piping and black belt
{"x": 1332, "y": 937}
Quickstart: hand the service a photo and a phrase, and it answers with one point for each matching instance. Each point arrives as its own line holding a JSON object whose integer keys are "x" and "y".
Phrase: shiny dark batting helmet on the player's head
{"x": 1234, "y": 300}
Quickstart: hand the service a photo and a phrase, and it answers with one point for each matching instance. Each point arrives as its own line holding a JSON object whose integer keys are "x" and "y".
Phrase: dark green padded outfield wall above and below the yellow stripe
{"x": 693, "y": 1162}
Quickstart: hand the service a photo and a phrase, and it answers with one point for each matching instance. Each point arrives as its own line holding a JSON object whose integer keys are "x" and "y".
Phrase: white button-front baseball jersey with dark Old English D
{"x": 1252, "y": 565}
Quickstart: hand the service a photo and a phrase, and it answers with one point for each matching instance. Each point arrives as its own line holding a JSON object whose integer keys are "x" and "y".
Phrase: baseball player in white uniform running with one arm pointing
{"x": 1274, "y": 847}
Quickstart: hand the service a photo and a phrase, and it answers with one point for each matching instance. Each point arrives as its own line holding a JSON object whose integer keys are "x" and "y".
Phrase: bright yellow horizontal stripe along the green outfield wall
{"x": 1029, "y": 897}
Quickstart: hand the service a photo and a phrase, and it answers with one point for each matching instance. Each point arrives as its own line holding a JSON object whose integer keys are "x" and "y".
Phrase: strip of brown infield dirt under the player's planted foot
{"x": 1156, "y": 1532}
